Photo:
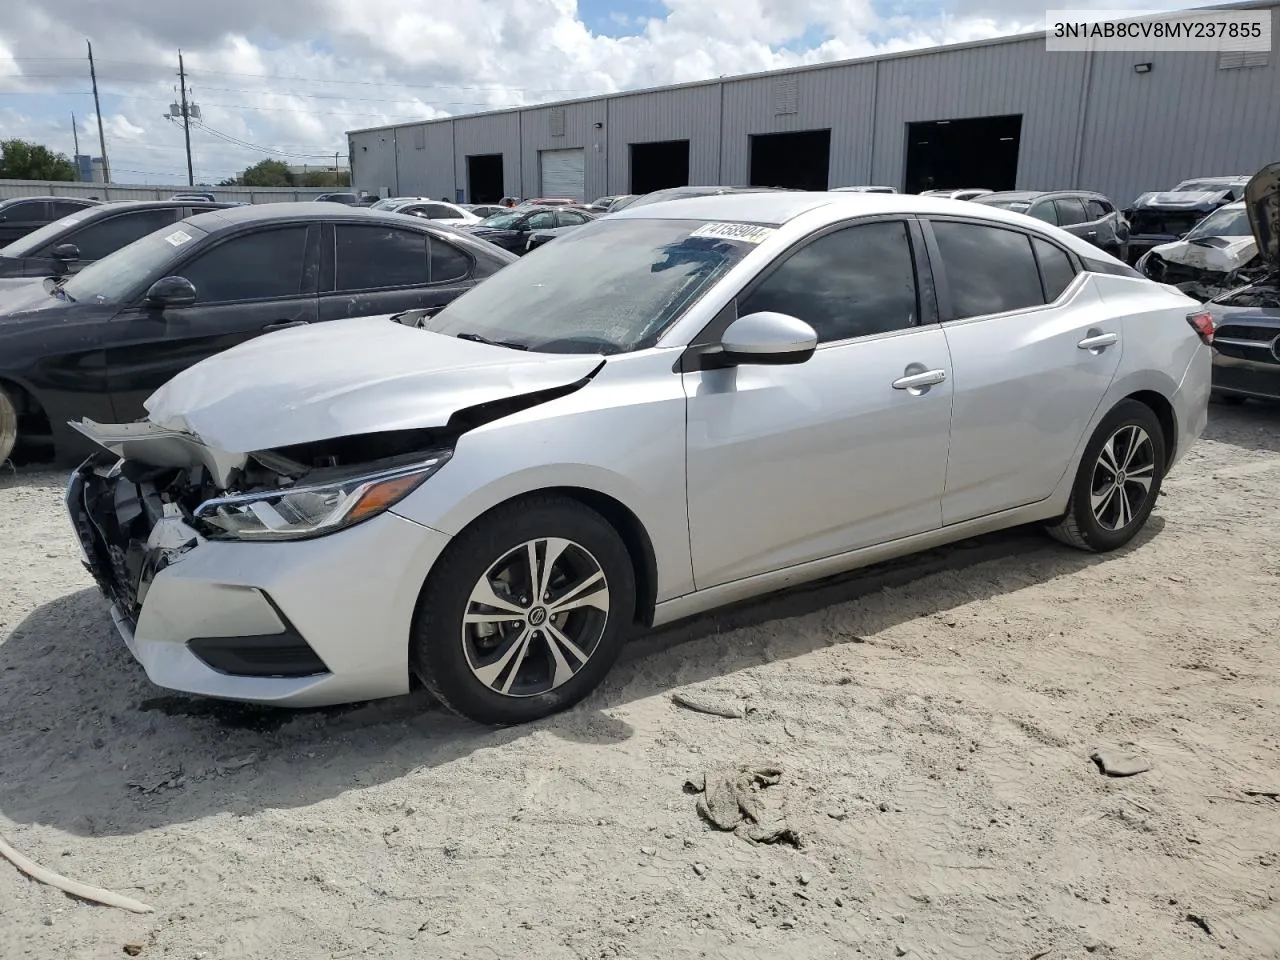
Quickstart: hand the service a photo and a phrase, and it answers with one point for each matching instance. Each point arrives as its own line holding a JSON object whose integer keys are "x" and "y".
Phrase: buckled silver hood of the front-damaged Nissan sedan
{"x": 345, "y": 378}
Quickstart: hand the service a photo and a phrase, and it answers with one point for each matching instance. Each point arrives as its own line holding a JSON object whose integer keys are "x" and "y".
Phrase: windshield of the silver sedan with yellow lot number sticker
{"x": 609, "y": 287}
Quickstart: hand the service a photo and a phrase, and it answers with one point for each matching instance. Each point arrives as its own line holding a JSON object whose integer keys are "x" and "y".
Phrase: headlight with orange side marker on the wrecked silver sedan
{"x": 301, "y": 513}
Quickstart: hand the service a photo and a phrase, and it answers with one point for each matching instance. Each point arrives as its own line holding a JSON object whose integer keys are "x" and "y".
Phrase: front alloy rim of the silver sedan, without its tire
{"x": 536, "y": 618}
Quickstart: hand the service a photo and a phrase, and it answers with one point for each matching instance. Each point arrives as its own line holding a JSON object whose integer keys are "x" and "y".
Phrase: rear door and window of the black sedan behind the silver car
{"x": 377, "y": 269}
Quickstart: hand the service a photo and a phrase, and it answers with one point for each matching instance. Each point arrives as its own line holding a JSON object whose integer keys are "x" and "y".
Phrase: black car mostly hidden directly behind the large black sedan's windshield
{"x": 92, "y": 234}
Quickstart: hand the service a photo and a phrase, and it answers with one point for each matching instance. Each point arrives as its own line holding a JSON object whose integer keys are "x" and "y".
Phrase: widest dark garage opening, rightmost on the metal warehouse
{"x": 981, "y": 152}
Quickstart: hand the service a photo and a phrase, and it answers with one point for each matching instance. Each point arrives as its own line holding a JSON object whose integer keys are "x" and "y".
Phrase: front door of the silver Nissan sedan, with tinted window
{"x": 792, "y": 464}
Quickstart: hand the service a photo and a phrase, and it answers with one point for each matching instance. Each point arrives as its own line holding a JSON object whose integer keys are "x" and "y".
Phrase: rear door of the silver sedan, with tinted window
{"x": 1034, "y": 353}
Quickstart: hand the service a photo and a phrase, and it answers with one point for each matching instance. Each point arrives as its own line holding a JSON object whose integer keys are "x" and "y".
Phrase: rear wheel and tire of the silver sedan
{"x": 1118, "y": 481}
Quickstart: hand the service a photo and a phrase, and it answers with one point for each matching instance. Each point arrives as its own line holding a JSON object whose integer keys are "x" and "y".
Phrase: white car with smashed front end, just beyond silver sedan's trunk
{"x": 1218, "y": 255}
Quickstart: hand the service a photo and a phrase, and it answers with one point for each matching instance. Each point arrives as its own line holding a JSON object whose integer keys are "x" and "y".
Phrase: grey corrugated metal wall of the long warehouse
{"x": 1089, "y": 121}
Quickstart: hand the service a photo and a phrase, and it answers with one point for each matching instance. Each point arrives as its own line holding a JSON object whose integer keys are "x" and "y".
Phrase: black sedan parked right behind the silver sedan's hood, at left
{"x": 102, "y": 342}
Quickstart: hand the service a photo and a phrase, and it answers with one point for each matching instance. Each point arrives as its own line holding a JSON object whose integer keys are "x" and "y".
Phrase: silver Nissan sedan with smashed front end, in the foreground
{"x": 679, "y": 406}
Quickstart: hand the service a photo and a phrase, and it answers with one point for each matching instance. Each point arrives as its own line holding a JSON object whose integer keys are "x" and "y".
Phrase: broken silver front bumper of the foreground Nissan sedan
{"x": 296, "y": 624}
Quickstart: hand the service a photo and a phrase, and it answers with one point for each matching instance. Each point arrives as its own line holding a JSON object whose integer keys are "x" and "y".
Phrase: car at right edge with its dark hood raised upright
{"x": 1247, "y": 321}
